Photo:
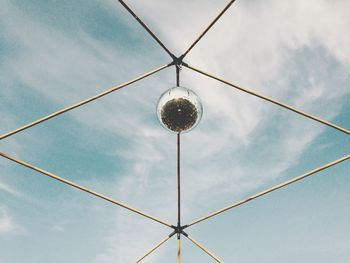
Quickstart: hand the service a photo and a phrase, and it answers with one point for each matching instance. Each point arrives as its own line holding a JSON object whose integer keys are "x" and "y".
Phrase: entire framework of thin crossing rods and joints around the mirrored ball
{"x": 178, "y": 62}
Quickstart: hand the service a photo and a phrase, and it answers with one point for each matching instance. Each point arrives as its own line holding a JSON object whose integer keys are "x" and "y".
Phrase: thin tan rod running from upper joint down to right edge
{"x": 283, "y": 105}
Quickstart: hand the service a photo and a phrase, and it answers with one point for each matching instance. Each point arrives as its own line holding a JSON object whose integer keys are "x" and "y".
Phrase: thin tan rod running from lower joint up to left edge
{"x": 62, "y": 180}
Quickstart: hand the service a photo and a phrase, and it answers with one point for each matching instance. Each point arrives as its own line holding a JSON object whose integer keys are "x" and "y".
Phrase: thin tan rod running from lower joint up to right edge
{"x": 270, "y": 190}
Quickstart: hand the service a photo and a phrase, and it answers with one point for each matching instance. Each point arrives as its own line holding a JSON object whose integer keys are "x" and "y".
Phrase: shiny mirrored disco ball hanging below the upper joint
{"x": 179, "y": 109}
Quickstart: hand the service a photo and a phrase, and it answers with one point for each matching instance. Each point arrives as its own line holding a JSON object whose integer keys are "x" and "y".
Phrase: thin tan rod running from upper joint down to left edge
{"x": 81, "y": 103}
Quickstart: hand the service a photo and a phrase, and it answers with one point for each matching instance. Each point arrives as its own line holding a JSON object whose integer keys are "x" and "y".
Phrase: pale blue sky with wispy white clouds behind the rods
{"x": 56, "y": 53}
